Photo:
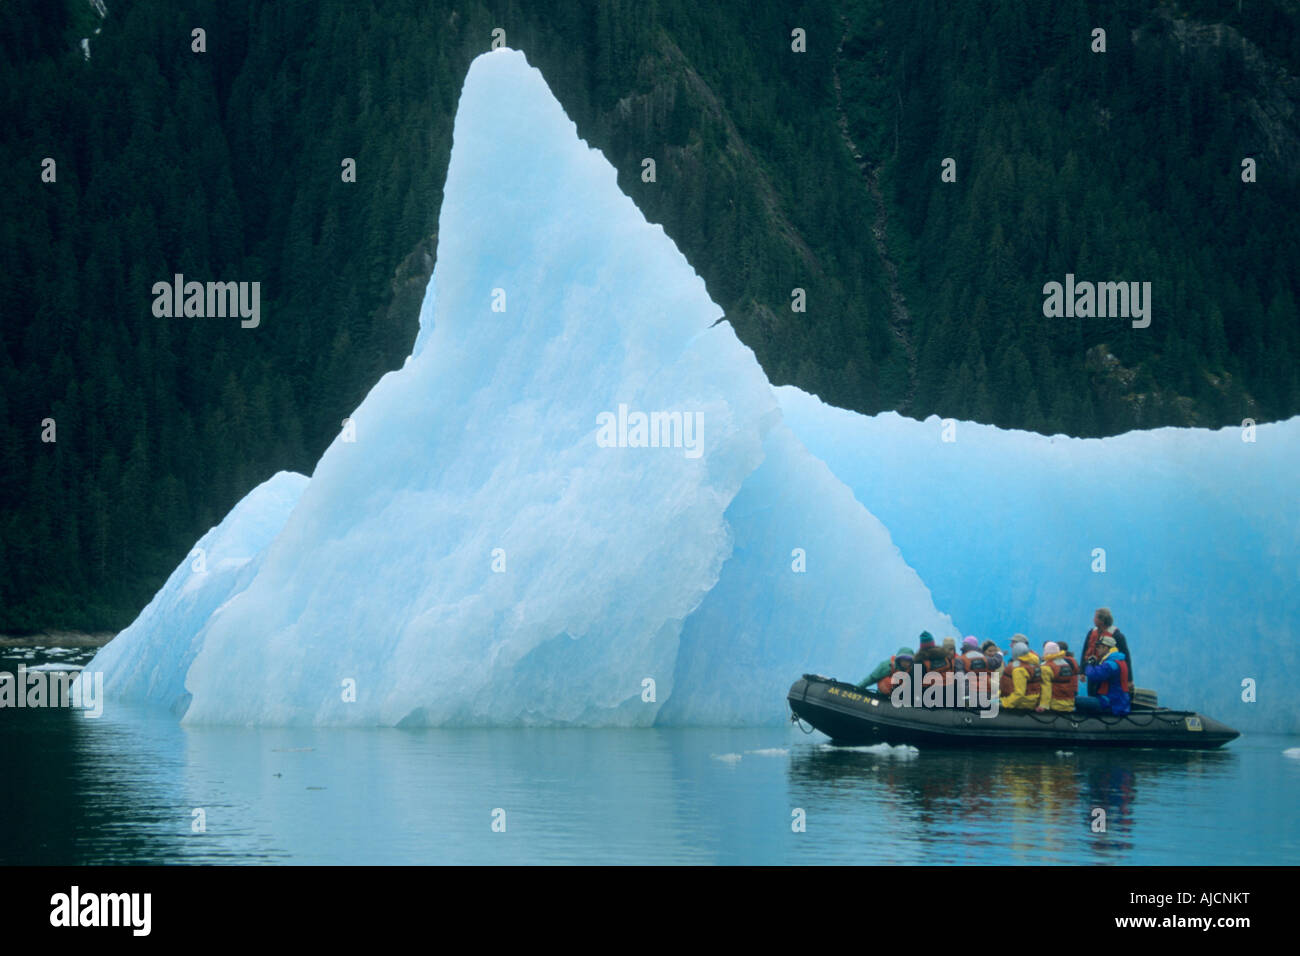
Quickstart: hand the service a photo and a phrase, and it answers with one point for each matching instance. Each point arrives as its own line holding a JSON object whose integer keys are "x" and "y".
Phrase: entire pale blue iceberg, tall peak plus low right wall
{"x": 582, "y": 503}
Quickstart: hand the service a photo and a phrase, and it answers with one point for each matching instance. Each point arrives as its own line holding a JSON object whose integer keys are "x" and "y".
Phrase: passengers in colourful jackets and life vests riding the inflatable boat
{"x": 1020, "y": 678}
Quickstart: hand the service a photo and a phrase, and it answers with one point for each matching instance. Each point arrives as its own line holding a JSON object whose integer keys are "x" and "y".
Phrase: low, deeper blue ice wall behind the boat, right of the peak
{"x": 1201, "y": 531}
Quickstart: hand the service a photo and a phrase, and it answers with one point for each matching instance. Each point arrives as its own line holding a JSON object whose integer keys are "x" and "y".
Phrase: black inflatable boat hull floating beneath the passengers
{"x": 853, "y": 717}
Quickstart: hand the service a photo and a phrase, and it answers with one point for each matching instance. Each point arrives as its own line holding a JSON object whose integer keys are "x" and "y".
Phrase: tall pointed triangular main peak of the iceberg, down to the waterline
{"x": 475, "y": 557}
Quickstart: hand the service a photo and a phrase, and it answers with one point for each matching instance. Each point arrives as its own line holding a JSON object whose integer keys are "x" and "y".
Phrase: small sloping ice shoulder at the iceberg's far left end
{"x": 149, "y": 660}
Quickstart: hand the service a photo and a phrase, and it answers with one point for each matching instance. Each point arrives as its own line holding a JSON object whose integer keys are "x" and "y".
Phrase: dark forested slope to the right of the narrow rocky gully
{"x": 1117, "y": 166}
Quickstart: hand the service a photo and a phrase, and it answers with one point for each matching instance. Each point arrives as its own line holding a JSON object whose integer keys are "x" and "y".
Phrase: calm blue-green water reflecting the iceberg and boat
{"x": 124, "y": 789}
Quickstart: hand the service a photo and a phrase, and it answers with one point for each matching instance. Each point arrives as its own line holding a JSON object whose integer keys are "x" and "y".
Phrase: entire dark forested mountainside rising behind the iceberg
{"x": 775, "y": 171}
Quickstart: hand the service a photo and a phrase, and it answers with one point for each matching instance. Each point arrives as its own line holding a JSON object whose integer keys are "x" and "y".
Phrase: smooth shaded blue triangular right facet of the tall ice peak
{"x": 765, "y": 624}
